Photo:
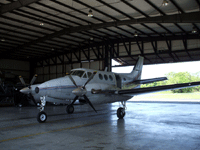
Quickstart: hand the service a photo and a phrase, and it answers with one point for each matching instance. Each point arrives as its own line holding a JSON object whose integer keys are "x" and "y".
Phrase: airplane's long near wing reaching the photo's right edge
{"x": 140, "y": 91}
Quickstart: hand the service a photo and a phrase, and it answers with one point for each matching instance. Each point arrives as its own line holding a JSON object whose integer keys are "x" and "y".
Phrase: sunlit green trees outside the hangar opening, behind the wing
{"x": 177, "y": 78}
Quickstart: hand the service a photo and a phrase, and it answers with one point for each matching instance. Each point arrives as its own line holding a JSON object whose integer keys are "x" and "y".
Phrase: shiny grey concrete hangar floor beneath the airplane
{"x": 154, "y": 126}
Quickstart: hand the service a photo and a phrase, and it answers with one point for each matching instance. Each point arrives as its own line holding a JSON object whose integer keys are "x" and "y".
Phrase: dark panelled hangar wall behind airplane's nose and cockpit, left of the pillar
{"x": 55, "y": 67}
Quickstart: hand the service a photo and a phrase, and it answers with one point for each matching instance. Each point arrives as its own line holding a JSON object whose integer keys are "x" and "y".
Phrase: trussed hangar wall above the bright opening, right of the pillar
{"x": 170, "y": 51}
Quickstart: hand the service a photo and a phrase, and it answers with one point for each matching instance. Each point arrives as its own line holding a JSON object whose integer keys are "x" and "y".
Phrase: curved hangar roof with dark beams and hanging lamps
{"x": 37, "y": 29}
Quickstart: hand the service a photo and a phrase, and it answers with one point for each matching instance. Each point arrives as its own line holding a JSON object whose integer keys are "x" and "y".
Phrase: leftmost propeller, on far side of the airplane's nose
{"x": 30, "y": 96}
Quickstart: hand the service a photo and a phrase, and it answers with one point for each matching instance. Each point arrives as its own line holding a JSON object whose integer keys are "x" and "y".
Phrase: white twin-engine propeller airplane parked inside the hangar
{"x": 99, "y": 87}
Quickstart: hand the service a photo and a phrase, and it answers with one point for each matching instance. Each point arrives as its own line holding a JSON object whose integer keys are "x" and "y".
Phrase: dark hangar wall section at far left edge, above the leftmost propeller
{"x": 14, "y": 68}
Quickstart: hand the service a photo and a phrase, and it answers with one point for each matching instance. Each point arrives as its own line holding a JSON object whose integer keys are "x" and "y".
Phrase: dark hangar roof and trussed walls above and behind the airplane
{"x": 51, "y": 37}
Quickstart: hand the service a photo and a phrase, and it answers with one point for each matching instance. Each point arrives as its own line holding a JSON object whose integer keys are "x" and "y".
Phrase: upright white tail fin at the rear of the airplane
{"x": 137, "y": 70}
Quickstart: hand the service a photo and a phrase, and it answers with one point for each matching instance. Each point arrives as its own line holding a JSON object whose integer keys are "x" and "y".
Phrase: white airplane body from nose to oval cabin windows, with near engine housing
{"x": 61, "y": 88}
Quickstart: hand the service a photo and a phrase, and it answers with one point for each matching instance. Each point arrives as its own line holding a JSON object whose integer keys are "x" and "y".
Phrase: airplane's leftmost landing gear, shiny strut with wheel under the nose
{"x": 42, "y": 116}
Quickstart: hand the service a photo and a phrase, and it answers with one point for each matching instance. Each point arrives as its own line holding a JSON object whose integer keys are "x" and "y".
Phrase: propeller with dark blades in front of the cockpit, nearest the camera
{"x": 81, "y": 91}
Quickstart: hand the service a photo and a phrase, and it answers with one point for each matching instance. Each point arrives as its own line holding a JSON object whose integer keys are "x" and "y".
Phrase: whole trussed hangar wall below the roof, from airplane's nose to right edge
{"x": 97, "y": 57}
